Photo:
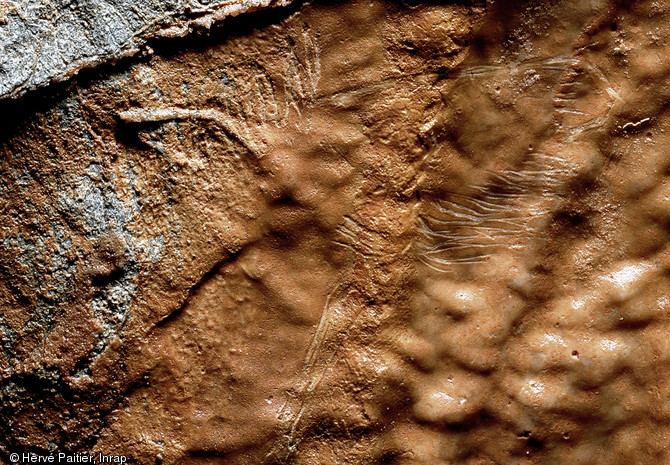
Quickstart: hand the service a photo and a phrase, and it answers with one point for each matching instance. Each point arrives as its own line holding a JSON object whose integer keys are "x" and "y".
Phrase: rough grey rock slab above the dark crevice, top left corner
{"x": 44, "y": 41}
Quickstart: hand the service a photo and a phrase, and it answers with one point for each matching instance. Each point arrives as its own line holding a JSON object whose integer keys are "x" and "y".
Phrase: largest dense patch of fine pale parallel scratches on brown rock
{"x": 467, "y": 229}
